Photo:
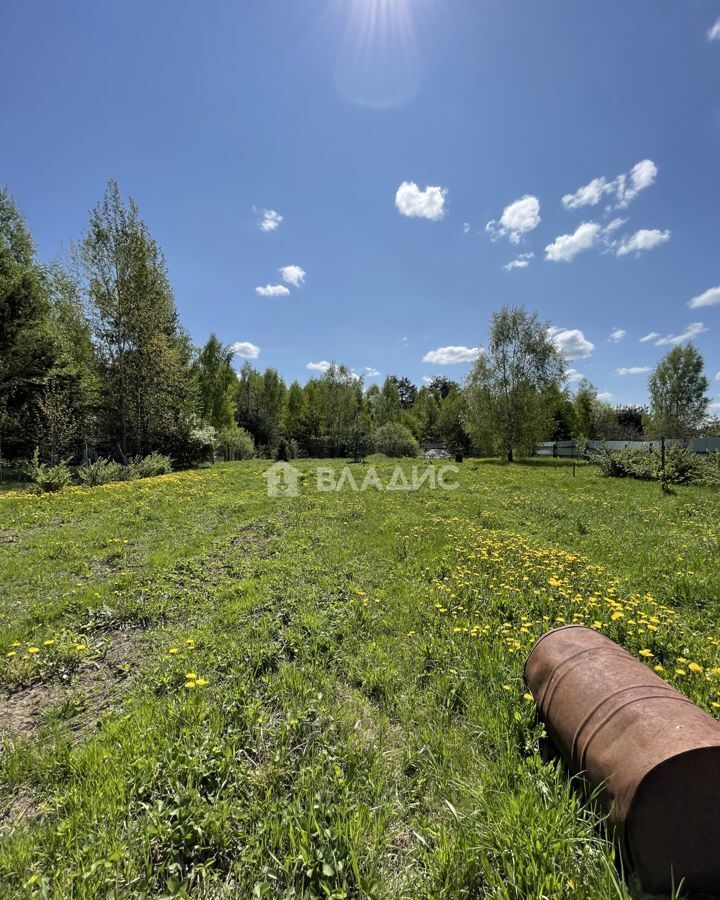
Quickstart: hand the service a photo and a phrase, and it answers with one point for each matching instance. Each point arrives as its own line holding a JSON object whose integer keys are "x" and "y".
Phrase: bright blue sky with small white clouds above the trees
{"x": 338, "y": 115}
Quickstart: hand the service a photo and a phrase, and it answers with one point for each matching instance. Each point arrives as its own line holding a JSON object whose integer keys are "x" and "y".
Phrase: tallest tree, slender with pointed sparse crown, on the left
{"x": 144, "y": 355}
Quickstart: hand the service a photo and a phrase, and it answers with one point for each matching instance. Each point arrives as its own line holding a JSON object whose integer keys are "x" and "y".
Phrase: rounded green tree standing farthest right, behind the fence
{"x": 678, "y": 393}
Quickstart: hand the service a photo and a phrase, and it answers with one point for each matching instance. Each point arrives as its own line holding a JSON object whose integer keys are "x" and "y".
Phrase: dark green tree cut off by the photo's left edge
{"x": 27, "y": 349}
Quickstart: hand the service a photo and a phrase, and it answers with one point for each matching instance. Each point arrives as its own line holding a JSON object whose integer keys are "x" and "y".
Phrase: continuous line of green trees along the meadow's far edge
{"x": 95, "y": 362}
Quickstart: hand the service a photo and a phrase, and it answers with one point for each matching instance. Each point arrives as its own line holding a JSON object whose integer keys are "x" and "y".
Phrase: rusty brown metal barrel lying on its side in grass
{"x": 653, "y": 755}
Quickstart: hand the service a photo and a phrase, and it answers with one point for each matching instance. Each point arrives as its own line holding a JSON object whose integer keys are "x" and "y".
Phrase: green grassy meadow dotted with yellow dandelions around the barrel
{"x": 212, "y": 693}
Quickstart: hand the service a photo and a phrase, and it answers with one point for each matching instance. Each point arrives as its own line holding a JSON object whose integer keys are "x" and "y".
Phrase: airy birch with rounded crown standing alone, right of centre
{"x": 507, "y": 387}
